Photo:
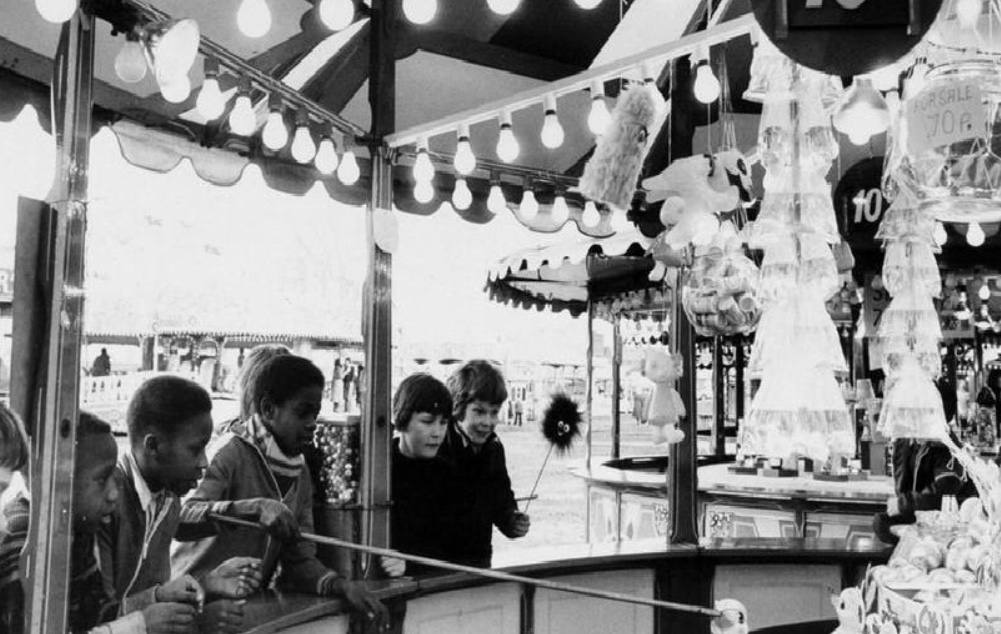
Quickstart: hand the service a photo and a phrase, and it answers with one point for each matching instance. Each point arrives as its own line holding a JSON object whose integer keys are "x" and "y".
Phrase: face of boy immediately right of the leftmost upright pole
{"x": 96, "y": 489}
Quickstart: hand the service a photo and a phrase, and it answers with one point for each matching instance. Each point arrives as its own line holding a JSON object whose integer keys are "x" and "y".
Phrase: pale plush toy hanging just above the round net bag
{"x": 694, "y": 191}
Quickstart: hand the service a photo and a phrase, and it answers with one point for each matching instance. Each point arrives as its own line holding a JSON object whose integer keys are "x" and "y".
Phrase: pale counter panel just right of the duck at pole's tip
{"x": 805, "y": 592}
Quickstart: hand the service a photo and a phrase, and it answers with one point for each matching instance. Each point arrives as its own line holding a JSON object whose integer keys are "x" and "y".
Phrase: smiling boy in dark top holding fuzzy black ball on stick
{"x": 483, "y": 485}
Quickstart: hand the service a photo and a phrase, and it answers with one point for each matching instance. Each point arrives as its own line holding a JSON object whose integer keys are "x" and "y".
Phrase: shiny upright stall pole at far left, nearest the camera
{"x": 49, "y": 566}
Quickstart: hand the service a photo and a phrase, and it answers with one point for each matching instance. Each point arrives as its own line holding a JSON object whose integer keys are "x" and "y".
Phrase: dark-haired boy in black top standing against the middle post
{"x": 422, "y": 504}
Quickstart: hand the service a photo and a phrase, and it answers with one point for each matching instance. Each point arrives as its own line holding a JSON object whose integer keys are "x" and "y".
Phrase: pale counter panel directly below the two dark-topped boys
{"x": 494, "y": 609}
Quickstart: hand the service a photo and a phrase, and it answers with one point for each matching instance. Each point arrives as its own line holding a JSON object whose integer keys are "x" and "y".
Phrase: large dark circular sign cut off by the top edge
{"x": 827, "y": 37}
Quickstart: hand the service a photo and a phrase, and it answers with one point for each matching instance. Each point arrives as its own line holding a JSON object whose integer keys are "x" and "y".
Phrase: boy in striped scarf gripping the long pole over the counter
{"x": 258, "y": 473}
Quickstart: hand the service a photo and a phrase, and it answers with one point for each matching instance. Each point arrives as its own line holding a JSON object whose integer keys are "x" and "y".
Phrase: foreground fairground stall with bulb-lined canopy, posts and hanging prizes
{"x": 592, "y": 117}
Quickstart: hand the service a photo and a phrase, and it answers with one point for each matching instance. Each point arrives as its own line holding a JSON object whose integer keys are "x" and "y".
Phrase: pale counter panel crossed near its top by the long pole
{"x": 564, "y": 613}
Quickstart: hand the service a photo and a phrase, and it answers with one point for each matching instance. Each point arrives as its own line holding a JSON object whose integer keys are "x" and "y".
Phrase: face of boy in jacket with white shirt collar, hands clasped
{"x": 181, "y": 461}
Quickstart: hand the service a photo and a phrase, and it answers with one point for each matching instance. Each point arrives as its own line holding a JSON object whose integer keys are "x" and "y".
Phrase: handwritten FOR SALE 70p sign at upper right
{"x": 948, "y": 115}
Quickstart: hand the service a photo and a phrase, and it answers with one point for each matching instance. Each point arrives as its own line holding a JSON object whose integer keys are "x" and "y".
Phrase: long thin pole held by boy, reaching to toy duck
{"x": 486, "y": 572}
